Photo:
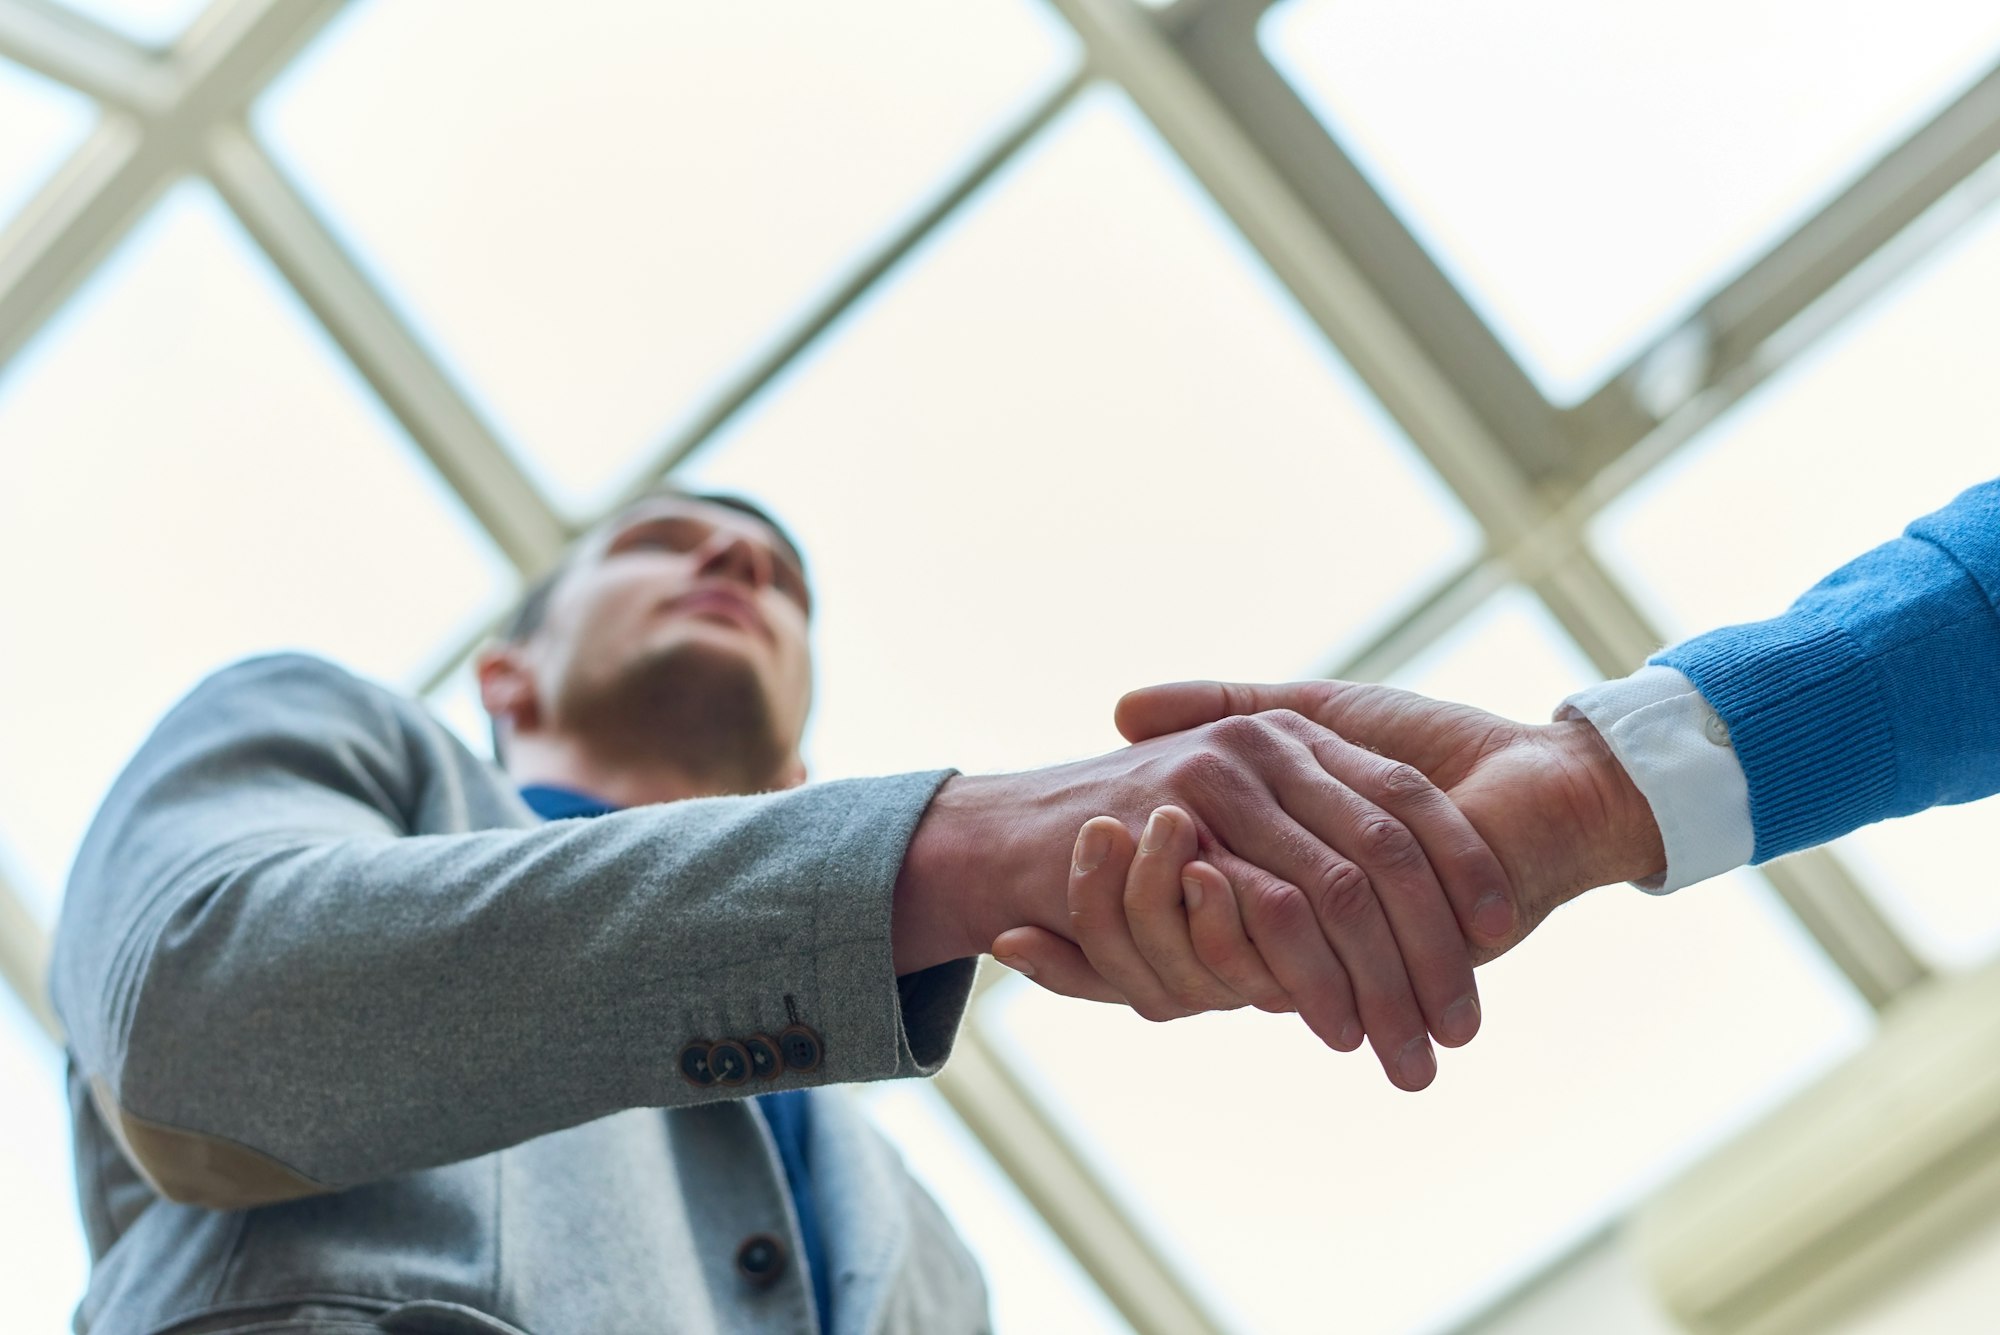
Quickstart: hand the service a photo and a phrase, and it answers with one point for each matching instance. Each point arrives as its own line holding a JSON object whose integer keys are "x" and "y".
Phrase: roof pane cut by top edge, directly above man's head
{"x": 617, "y": 209}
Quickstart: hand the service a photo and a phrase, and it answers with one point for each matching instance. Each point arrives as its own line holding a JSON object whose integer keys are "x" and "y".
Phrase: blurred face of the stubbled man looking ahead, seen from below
{"x": 679, "y": 627}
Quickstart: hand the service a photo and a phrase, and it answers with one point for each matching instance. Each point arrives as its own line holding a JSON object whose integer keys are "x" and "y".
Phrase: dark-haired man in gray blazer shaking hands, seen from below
{"x": 371, "y": 1036}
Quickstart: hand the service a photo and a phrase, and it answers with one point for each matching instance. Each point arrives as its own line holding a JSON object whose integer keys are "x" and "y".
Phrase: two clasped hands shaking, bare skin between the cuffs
{"x": 1345, "y": 852}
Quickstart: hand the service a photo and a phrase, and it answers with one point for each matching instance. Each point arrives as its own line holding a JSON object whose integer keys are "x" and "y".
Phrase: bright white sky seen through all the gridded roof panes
{"x": 1079, "y": 443}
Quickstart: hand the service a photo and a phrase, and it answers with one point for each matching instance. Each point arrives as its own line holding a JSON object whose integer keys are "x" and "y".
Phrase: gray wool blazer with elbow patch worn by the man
{"x": 359, "y": 1044}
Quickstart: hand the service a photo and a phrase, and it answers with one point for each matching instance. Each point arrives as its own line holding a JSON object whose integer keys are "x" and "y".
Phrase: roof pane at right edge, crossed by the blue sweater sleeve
{"x": 1879, "y": 425}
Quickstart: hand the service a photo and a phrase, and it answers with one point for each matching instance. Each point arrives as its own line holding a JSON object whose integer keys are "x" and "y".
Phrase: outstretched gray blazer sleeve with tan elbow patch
{"x": 279, "y": 986}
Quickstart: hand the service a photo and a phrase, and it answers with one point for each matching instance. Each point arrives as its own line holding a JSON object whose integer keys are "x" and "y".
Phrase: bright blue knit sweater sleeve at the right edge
{"x": 1877, "y": 694}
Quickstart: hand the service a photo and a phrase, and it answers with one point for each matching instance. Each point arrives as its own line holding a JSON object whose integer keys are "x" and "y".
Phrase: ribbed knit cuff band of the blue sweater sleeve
{"x": 1809, "y": 720}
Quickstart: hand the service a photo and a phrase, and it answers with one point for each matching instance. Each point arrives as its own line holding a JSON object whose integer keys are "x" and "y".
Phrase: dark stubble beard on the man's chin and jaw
{"x": 687, "y": 706}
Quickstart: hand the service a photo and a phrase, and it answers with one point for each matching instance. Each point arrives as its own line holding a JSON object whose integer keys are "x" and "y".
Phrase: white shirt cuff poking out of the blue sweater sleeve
{"x": 1681, "y": 758}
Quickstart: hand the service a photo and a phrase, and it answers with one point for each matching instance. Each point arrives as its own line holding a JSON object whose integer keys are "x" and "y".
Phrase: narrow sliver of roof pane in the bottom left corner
{"x": 43, "y": 1254}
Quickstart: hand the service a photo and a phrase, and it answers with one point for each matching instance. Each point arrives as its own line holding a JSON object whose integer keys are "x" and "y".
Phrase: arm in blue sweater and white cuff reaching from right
{"x": 1877, "y": 694}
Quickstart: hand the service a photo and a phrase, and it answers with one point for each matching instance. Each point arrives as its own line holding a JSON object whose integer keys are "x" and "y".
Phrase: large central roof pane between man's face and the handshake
{"x": 1083, "y": 443}
